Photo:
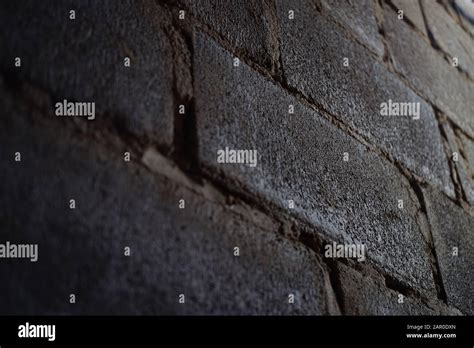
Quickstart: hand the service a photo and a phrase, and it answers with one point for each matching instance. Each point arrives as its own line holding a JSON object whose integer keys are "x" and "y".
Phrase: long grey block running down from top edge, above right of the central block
{"x": 313, "y": 63}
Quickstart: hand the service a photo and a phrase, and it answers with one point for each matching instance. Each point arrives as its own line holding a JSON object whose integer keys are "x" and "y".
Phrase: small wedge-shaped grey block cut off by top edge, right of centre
{"x": 359, "y": 17}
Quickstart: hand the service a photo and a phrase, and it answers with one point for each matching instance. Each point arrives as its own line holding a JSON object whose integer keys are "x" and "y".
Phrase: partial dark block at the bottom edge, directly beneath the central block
{"x": 368, "y": 295}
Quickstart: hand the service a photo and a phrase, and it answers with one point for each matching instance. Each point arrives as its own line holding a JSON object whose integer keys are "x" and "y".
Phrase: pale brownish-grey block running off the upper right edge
{"x": 418, "y": 62}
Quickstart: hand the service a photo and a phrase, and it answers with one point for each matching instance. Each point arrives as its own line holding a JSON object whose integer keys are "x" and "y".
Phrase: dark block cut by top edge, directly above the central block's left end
{"x": 245, "y": 24}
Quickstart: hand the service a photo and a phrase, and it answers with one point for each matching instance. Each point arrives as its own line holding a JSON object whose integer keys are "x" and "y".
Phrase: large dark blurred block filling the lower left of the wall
{"x": 173, "y": 251}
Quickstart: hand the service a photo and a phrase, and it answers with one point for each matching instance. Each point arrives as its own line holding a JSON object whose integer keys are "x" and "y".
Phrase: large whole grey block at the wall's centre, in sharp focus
{"x": 300, "y": 158}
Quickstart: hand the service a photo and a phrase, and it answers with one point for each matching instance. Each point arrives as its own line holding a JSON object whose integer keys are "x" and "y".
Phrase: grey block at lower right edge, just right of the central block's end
{"x": 453, "y": 228}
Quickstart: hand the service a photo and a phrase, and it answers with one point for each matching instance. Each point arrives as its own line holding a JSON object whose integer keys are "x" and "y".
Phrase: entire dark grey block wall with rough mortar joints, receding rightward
{"x": 173, "y": 230}
